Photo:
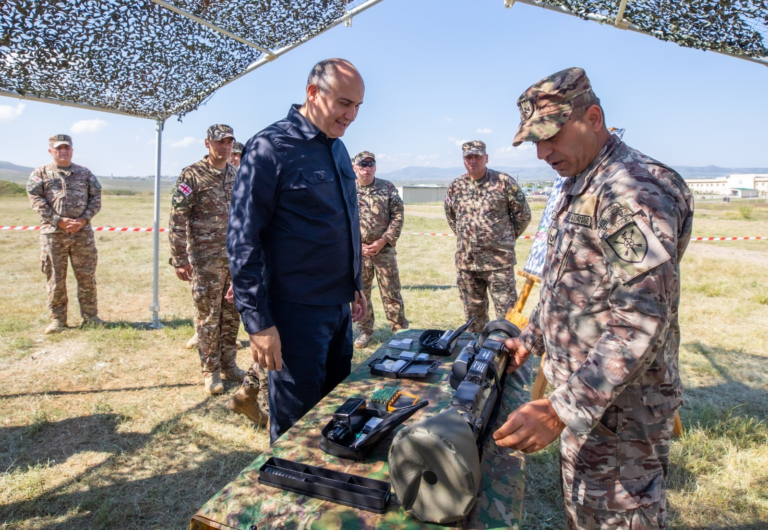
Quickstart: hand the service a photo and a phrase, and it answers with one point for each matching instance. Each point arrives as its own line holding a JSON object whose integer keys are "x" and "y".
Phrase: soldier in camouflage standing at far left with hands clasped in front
{"x": 66, "y": 196}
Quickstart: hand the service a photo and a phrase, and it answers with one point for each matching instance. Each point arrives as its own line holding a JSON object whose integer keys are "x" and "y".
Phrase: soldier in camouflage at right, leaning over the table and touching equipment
{"x": 608, "y": 314}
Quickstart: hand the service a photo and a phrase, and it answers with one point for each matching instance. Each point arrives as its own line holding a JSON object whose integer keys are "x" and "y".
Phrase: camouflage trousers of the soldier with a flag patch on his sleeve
{"x": 217, "y": 321}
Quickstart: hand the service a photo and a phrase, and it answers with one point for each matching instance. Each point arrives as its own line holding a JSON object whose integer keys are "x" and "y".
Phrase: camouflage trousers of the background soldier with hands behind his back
{"x": 474, "y": 287}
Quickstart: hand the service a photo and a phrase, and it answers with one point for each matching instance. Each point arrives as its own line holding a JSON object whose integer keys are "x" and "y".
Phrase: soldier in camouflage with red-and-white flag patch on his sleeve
{"x": 198, "y": 228}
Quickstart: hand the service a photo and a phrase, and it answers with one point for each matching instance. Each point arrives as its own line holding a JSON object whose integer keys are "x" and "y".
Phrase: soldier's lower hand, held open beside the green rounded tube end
{"x": 530, "y": 428}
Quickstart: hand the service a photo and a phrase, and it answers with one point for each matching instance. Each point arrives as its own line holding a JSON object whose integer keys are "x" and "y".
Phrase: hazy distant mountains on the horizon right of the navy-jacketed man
{"x": 438, "y": 175}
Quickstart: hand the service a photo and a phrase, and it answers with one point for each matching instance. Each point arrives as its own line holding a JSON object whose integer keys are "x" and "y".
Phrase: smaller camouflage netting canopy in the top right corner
{"x": 734, "y": 27}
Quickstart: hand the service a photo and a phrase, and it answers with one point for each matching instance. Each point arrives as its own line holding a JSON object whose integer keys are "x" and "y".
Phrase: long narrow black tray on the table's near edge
{"x": 342, "y": 488}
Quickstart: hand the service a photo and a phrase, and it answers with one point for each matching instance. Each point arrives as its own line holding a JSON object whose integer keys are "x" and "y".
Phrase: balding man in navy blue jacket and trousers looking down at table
{"x": 294, "y": 248}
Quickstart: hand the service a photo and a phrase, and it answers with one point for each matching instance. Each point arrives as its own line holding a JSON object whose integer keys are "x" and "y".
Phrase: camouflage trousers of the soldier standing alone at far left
{"x": 57, "y": 250}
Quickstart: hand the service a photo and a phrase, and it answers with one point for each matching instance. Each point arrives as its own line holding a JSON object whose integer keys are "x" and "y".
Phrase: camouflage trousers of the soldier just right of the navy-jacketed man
{"x": 384, "y": 266}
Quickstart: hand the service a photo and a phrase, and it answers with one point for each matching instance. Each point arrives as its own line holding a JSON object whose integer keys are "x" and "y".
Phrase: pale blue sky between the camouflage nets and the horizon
{"x": 438, "y": 72}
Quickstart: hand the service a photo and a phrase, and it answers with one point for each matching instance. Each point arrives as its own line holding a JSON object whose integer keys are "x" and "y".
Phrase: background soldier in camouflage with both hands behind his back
{"x": 487, "y": 211}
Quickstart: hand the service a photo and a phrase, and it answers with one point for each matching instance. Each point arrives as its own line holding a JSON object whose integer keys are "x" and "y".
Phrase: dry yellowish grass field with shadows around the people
{"x": 110, "y": 428}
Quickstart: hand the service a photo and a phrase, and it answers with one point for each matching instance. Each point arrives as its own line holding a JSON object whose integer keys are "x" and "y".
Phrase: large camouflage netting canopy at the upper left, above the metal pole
{"x": 144, "y": 57}
